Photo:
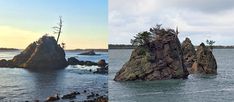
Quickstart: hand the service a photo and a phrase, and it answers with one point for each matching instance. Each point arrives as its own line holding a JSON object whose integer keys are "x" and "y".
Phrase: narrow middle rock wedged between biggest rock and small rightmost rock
{"x": 189, "y": 53}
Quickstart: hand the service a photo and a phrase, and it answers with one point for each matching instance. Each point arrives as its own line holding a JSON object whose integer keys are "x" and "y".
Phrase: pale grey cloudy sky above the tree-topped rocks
{"x": 197, "y": 19}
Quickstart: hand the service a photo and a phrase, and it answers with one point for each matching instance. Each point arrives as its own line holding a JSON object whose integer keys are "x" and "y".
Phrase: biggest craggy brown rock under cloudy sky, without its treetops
{"x": 161, "y": 59}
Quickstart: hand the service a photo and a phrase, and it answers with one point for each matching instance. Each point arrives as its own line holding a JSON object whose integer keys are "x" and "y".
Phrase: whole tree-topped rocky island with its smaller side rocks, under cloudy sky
{"x": 159, "y": 55}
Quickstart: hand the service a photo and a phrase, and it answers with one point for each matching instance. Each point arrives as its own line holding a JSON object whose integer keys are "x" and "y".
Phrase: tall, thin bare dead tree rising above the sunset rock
{"x": 58, "y": 28}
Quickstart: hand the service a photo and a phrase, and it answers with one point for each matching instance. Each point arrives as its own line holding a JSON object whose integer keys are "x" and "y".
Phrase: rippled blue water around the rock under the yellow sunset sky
{"x": 17, "y": 84}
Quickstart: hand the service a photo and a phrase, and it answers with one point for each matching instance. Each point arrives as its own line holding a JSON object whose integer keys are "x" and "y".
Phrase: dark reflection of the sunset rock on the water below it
{"x": 45, "y": 83}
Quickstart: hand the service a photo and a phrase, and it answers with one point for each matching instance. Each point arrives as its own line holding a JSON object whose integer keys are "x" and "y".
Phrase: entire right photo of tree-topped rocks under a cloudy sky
{"x": 171, "y": 51}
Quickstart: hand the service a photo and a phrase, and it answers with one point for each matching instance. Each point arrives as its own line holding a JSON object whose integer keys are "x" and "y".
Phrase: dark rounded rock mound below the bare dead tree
{"x": 42, "y": 54}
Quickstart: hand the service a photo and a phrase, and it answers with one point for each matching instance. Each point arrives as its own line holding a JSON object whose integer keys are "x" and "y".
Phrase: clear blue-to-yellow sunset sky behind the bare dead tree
{"x": 85, "y": 22}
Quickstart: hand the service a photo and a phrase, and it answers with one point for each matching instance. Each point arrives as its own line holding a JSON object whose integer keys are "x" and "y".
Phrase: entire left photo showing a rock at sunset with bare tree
{"x": 53, "y": 50}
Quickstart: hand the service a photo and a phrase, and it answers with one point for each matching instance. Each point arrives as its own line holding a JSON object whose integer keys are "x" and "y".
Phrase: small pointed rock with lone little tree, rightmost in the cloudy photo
{"x": 205, "y": 61}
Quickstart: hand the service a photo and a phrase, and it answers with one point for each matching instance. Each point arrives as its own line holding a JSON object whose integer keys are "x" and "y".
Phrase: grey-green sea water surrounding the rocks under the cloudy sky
{"x": 197, "y": 88}
